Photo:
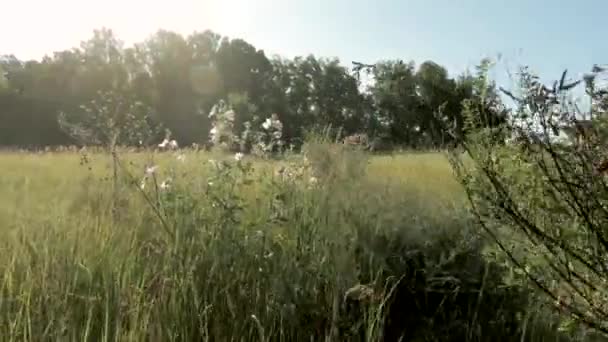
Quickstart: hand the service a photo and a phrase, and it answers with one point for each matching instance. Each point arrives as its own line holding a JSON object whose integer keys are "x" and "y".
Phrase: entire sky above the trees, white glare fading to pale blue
{"x": 546, "y": 35}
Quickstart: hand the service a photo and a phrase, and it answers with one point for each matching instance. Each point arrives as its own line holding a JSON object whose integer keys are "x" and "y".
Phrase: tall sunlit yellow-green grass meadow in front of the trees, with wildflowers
{"x": 349, "y": 247}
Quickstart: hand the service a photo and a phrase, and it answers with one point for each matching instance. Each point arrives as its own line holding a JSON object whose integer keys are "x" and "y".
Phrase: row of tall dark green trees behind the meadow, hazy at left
{"x": 175, "y": 81}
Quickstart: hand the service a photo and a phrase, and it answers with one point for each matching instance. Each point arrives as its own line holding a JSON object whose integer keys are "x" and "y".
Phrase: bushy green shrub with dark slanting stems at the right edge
{"x": 541, "y": 199}
